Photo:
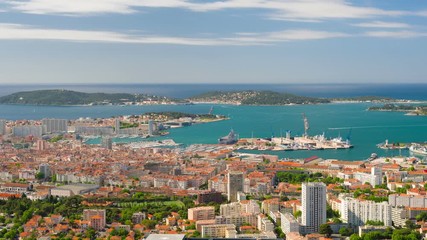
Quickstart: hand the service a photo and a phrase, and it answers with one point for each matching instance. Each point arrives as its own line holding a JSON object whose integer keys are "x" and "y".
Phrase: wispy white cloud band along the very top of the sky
{"x": 294, "y": 10}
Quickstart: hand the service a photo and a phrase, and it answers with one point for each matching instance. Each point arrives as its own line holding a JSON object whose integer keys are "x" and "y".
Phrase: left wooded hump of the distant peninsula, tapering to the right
{"x": 67, "y": 97}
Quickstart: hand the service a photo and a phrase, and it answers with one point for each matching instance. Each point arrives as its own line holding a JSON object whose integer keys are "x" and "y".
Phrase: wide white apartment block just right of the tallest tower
{"x": 357, "y": 213}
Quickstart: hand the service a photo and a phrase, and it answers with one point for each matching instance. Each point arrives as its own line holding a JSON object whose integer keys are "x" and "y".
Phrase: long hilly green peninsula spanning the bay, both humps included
{"x": 249, "y": 97}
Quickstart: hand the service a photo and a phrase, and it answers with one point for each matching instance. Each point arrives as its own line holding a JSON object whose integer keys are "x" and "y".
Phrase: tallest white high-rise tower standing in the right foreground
{"x": 313, "y": 206}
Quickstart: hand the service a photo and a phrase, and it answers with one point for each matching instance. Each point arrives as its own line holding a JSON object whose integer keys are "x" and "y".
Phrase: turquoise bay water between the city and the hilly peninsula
{"x": 367, "y": 128}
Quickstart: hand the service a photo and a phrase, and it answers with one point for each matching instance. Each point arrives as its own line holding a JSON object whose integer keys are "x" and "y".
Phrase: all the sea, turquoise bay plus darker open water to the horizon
{"x": 365, "y": 129}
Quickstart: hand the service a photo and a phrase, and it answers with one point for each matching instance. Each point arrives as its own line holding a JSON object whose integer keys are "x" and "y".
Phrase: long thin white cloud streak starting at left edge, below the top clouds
{"x": 23, "y": 32}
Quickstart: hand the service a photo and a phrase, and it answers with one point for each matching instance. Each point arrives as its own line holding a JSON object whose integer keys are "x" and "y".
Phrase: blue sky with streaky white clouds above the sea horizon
{"x": 212, "y": 41}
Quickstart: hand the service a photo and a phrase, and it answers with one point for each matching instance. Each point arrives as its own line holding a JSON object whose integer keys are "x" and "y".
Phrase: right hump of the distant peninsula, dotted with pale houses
{"x": 256, "y": 98}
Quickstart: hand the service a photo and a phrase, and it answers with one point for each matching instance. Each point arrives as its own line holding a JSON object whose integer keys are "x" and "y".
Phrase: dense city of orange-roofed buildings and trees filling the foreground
{"x": 56, "y": 186}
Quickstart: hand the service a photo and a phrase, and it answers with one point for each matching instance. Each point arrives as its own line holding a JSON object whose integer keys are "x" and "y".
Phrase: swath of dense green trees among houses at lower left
{"x": 17, "y": 211}
